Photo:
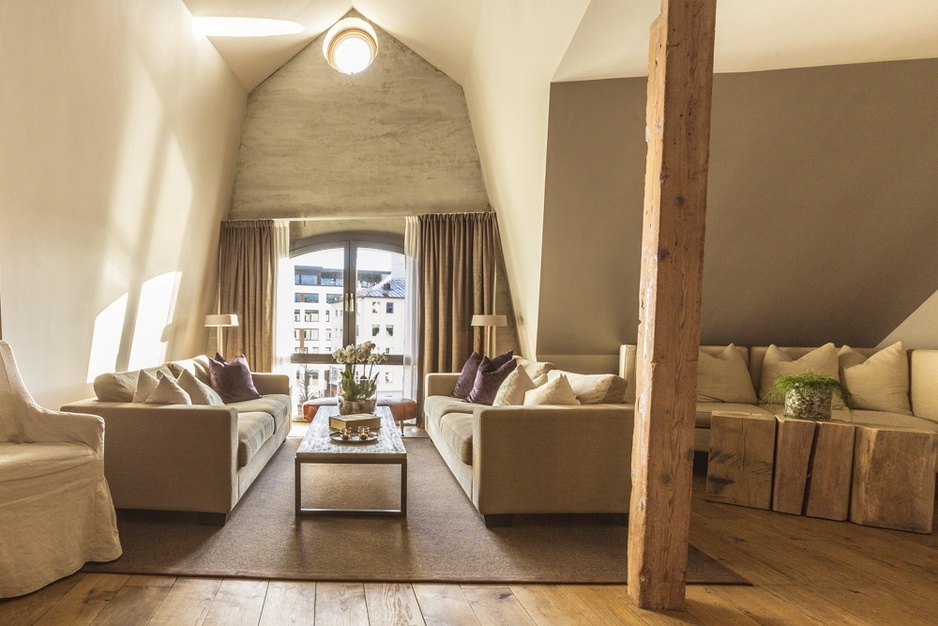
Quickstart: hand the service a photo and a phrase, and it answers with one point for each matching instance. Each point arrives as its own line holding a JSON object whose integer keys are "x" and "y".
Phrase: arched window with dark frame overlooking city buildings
{"x": 347, "y": 288}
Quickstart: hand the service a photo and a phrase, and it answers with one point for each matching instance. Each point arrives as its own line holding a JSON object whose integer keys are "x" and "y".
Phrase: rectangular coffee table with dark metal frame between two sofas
{"x": 317, "y": 447}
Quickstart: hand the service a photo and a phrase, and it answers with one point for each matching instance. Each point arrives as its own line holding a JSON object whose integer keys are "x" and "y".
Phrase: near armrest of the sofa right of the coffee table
{"x": 552, "y": 459}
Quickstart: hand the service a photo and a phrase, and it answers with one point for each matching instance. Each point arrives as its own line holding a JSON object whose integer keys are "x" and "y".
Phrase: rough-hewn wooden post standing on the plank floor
{"x": 680, "y": 78}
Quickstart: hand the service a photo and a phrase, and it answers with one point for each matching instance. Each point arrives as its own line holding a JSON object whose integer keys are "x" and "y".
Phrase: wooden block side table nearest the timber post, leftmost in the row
{"x": 742, "y": 449}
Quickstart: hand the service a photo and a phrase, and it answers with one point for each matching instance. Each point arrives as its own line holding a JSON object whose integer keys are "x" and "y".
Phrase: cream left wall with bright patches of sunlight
{"x": 117, "y": 156}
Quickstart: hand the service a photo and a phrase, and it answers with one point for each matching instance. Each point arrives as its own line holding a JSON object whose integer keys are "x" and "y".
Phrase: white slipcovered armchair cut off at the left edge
{"x": 56, "y": 511}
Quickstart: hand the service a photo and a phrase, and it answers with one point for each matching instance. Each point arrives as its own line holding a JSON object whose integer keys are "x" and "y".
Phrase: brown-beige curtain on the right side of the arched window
{"x": 457, "y": 260}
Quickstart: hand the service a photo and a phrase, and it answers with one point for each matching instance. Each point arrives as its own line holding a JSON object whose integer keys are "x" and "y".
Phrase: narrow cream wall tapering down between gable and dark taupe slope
{"x": 508, "y": 93}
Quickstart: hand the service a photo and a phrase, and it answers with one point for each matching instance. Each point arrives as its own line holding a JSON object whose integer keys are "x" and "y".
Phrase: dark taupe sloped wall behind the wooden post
{"x": 822, "y": 212}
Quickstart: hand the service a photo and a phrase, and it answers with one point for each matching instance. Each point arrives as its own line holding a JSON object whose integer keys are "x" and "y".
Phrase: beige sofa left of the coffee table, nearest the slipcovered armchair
{"x": 191, "y": 458}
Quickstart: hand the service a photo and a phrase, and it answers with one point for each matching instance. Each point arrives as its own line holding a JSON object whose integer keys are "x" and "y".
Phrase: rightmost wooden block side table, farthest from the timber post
{"x": 894, "y": 479}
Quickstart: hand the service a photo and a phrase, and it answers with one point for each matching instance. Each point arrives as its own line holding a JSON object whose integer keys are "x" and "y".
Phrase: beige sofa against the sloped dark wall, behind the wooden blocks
{"x": 922, "y": 384}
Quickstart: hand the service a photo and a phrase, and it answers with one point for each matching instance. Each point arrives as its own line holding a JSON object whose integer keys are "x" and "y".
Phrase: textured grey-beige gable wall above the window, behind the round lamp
{"x": 393, "y": 140}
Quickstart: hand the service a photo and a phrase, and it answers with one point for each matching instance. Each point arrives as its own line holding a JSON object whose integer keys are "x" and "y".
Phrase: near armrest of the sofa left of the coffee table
{"x": 168, "y": 457}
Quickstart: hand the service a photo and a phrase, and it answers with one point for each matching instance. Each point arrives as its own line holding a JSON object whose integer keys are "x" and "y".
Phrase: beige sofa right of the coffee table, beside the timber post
{"x": 532, "y": 459}
